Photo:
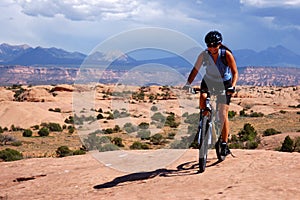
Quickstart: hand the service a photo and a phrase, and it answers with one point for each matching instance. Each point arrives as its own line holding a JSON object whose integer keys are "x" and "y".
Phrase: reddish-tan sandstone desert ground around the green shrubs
{"x": 262, "y": 173}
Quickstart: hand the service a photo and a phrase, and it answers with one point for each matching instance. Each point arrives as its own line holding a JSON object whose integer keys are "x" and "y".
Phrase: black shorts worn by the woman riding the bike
{"x": 217, "y": 88}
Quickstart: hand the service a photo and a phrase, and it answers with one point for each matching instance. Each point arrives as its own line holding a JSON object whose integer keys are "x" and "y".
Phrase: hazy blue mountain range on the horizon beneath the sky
{"x": 25, "y": 55}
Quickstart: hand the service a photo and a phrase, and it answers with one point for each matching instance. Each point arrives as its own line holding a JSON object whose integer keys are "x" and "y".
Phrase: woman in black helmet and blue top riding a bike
{"x": 221, "y": 72}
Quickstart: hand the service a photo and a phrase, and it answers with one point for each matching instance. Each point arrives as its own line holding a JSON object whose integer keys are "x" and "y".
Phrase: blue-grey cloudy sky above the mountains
{"x": 80, "y": 25}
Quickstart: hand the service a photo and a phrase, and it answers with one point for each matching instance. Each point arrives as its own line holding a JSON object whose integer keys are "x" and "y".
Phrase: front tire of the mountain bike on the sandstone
{"x": 203, "y": 146}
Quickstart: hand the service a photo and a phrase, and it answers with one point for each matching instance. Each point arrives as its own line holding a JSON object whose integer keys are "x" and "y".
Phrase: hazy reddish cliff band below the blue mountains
{"x": 32, "y": 75}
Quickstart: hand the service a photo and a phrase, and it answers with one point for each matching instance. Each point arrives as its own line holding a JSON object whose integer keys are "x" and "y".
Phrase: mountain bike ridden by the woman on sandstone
{"x": 209, "y": 129}
